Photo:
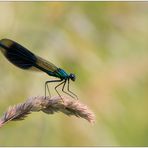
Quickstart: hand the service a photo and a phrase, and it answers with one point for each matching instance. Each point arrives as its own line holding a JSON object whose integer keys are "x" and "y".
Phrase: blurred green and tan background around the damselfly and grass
{"x": 106, "y": 45}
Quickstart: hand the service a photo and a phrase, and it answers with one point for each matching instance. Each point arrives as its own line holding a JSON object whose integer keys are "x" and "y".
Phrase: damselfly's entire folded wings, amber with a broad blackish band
{"x": 23, "y": 58}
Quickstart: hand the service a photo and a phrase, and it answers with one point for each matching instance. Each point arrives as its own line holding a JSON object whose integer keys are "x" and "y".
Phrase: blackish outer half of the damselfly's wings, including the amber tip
{"x": 17, "y": 54}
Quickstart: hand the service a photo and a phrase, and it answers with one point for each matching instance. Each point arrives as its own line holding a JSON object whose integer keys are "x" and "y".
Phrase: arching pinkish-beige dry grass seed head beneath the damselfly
{"x": 48, "y": 106}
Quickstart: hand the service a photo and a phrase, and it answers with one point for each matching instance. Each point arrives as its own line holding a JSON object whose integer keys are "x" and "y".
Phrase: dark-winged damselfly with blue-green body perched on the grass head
{"x": 24, "y": 59}
